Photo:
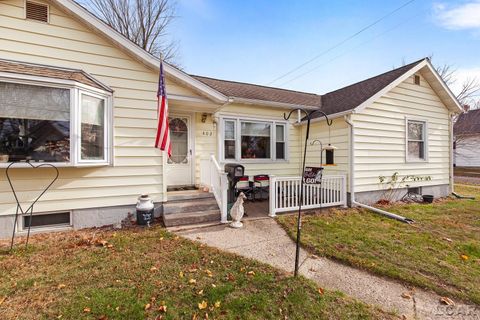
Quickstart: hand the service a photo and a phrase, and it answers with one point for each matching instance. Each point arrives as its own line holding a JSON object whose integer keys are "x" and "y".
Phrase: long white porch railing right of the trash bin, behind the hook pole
{"x": 285, "y": 191}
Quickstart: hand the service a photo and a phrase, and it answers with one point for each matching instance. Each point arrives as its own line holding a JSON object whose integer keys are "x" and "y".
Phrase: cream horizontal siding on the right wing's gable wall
{"x": 380, "y": 136}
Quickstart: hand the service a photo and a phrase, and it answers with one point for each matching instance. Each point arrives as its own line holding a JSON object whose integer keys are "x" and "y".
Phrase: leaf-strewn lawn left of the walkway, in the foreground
{"x": 151, "y": 274}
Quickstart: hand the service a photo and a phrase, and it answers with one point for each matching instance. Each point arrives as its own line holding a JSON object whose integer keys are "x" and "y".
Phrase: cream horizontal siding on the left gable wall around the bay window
{"x": 65, "y": 42}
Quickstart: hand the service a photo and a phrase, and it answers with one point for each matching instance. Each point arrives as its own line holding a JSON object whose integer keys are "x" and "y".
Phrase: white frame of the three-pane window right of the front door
{"x": 238, "y": 133}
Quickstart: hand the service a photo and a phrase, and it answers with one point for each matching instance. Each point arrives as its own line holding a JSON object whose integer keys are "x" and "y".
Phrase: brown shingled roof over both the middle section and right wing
{"x": 340, "y": 100}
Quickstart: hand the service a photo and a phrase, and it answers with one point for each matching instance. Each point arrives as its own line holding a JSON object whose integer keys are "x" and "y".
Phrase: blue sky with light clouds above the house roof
{"x": 257, "y": 41}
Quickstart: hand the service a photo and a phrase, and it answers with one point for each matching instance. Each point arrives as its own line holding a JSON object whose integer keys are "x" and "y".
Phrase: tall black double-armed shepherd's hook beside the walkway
{"x": 308, "y": 116}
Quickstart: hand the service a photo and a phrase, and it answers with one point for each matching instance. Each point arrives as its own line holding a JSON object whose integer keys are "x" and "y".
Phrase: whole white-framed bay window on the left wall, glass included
{"x": 61, "y": 124}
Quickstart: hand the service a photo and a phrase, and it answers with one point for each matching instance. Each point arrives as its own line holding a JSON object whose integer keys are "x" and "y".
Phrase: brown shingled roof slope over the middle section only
{"x": 249, "y": 91}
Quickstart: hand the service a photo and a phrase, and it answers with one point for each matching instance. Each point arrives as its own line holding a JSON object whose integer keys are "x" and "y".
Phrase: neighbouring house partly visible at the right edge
{"x": 466, "y": 132}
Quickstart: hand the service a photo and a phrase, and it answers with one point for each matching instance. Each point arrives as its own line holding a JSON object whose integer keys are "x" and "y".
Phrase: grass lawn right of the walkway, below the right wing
{"x": 441, "y": 251}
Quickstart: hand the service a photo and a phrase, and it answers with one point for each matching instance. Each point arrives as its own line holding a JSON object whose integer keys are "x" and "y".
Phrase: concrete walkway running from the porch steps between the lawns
{"x": 266, "y": 241}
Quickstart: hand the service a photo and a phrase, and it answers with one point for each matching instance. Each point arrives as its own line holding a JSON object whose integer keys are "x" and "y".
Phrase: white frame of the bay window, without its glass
{"x": 76, "y": 91}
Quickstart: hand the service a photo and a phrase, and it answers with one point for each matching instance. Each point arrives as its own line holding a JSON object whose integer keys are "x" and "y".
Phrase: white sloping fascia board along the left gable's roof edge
{"x": 145, "y": 57}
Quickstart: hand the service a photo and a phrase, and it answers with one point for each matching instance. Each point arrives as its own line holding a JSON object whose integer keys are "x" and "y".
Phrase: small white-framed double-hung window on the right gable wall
{"x": 416, "y": 140}
